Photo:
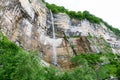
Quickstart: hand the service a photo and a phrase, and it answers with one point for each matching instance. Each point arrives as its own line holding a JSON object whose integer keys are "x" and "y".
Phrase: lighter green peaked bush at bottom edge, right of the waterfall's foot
{"x": 82, "y": 72}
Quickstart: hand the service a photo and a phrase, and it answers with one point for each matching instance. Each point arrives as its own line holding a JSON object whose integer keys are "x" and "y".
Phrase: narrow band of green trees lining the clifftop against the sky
{"x": 81, "y": 16}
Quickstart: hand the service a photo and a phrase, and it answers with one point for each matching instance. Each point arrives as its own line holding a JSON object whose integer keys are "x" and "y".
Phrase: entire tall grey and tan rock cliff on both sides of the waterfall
{"x": 28, "y": 24}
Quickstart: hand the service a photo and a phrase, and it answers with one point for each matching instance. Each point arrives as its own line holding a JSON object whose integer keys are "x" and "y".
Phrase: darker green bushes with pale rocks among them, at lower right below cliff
{"x": 102, "y": 68}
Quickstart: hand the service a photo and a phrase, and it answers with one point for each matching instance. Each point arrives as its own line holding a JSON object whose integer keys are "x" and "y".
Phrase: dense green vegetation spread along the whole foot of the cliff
{"x": 18, "y": 64}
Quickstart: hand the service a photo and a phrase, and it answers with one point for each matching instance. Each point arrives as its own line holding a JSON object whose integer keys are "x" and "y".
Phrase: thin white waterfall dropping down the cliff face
{"x": 54, "y": 46}
